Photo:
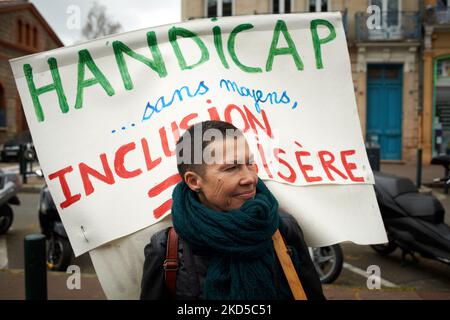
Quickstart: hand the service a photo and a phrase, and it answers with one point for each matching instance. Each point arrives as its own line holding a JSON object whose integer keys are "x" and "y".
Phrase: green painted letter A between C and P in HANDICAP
{"x": 291, "y": 49}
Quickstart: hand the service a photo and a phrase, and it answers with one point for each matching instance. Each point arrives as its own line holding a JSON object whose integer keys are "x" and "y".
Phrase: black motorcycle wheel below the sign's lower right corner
{"x": 328, "y": 262}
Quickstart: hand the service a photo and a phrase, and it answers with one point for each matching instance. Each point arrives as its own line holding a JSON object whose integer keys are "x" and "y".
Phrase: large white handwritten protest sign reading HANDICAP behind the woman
{"x": 105, "y": 116}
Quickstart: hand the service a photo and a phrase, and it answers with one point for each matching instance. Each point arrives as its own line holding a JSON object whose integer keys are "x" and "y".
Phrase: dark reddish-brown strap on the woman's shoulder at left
{"x": 171, "y": 263}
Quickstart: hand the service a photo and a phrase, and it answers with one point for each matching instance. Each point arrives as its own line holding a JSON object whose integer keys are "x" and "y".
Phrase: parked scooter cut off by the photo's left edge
{"x": 9, "y": 186}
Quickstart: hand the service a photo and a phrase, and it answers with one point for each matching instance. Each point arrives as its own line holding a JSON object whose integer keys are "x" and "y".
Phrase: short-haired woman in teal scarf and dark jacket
{"x": 225, "y": 217}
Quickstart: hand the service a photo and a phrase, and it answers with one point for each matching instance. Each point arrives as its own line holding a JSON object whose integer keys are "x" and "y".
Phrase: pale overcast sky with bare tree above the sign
{"x": 67, "y": 17}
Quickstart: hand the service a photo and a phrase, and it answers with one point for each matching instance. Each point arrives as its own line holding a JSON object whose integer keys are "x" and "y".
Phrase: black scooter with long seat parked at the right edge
{"x": 414, "y": 221}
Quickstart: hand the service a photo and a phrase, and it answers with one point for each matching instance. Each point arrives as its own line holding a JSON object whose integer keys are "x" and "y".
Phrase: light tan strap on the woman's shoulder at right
{"x": 288, "y": 267}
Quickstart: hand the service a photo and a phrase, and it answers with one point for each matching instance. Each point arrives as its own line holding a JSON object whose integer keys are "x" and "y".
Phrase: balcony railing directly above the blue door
{"x": 388, "y": 26}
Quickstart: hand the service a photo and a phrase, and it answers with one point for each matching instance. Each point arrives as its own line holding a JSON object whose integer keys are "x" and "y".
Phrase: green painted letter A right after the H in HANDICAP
{"x": 85, "y": 59}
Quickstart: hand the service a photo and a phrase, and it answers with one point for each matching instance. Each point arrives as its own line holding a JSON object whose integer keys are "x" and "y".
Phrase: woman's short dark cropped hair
{"x": 199, "y": 134}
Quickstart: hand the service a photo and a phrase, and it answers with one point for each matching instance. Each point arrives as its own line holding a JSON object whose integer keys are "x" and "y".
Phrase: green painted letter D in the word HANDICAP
{"x": 176, "y": 32}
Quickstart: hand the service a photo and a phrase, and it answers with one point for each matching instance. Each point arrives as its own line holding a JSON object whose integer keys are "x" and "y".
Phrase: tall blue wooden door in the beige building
{"x": 384, "y": 109}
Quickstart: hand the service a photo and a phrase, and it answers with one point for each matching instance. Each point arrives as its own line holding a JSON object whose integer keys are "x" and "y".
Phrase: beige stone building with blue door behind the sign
{"x": 388, "y": 55}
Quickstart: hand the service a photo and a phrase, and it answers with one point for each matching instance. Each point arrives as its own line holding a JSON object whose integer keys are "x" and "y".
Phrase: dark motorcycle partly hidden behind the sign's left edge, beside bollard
{"x": 59, "y": 250}
